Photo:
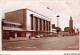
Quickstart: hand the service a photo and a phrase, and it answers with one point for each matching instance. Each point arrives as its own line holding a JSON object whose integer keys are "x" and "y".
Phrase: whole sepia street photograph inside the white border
{"x": 40, "y": 25}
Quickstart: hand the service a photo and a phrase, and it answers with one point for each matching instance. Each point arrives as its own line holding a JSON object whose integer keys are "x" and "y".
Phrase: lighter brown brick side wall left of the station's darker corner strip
{"x": 14, "y": 16}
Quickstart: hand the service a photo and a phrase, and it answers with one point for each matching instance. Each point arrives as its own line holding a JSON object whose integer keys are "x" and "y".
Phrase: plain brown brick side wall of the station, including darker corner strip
{"x": 18, "y": 16}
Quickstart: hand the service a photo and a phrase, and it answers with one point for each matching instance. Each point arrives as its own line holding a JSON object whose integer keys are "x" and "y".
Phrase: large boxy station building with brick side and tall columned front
{"x": 24, "y": 22}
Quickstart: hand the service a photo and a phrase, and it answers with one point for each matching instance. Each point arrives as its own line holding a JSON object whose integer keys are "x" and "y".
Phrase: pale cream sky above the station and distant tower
{"x": 48, "y": 8}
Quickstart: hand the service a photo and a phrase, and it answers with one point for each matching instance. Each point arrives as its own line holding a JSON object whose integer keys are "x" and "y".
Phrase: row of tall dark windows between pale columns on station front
{"x": 39, "y": 24}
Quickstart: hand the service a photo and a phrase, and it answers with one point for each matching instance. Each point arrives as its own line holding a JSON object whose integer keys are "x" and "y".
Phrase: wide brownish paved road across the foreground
{"x": 49, "y": 43}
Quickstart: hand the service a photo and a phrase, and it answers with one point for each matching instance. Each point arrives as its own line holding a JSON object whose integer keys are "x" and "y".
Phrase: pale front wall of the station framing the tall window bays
{"x": 37, "y": 19}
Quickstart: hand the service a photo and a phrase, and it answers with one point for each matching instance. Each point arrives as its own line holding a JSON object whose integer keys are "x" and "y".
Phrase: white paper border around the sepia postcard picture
{"x": 58, "y": 52}
